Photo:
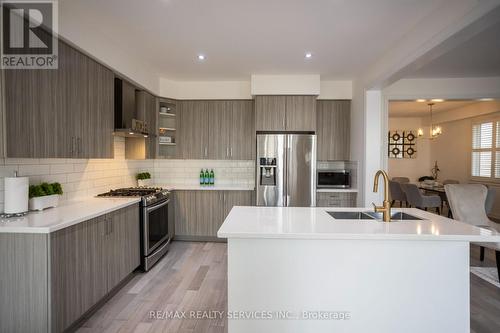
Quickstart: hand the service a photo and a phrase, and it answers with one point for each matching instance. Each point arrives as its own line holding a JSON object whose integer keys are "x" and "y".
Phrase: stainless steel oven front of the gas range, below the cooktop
{"x": 156, "y": 235}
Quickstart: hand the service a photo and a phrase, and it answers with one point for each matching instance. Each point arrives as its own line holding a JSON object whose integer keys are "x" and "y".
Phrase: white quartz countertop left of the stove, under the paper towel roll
{"x": 67, "y": 214}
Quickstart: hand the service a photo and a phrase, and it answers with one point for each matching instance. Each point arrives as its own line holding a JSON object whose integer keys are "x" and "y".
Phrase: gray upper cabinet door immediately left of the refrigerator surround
{"x": 242, "y": 141}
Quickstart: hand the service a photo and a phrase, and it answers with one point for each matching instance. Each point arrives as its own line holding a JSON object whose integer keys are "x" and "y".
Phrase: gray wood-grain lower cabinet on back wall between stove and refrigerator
{"x": 199, "y": 214}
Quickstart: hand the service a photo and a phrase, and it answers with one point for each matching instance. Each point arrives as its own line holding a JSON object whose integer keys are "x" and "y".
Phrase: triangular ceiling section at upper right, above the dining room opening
{"x": 477, "y": 57}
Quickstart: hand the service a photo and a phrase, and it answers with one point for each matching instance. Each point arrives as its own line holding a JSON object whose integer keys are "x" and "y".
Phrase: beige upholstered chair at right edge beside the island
{"x": 468, "y": 204}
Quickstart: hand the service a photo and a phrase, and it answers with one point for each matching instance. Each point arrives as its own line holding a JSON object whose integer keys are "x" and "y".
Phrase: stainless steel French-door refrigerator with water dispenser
{"x": 286, "y": 170}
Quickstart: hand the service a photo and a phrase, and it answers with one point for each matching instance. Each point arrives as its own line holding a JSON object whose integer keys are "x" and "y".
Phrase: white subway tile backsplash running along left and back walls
{"x": 82, "y": 177}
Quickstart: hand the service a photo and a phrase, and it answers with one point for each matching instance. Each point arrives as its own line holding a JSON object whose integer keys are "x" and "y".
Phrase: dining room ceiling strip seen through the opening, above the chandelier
{"x": 418, "y": 109}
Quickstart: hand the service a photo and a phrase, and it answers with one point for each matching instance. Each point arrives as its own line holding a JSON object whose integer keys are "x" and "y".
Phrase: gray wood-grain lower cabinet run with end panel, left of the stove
{"x": 53, "y": 279}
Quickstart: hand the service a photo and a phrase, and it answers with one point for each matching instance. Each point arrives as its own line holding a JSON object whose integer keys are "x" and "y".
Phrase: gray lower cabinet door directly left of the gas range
{"x": 122, "y": 241}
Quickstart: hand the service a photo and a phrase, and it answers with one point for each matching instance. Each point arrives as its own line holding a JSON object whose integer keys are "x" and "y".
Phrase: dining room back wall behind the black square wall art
{"x": 415, "y": 167}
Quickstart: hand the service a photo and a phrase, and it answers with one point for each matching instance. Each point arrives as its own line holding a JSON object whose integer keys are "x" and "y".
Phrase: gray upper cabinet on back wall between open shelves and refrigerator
{"x": 222, "y": 129}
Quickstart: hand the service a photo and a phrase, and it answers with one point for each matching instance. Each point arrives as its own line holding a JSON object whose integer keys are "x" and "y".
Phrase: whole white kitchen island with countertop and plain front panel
{"x": 302, "y": 270}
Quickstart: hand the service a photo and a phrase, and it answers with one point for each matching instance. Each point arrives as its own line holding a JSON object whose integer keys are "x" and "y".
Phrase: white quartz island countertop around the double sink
{"x": 316, "y": 223}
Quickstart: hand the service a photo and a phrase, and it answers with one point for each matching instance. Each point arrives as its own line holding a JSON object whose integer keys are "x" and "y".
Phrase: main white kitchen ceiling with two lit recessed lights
{"x": 242, "y": 37}
